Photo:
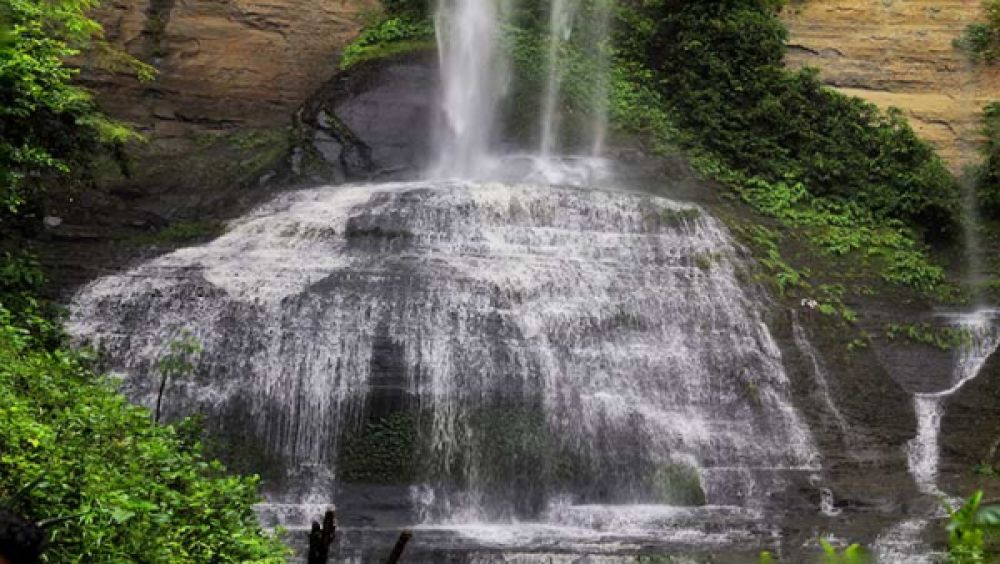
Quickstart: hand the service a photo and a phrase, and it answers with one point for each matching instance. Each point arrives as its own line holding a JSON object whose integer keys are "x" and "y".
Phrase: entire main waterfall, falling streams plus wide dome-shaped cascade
{"x": 582, "y": 359}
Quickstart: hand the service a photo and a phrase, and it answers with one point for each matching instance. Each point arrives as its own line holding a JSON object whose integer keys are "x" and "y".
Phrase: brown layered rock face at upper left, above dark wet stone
{"x": 223, "y": 63}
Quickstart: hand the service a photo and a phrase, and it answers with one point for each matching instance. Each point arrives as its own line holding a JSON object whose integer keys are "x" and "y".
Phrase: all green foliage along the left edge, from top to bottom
{"x": 131, "y": 490}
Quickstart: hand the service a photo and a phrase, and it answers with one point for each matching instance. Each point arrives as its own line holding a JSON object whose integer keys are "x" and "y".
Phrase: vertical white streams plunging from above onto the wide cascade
{"x": 475, "y": 75}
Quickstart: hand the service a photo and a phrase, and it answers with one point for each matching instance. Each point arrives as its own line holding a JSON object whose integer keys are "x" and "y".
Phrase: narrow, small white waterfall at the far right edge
{"x": 923, "y": 451}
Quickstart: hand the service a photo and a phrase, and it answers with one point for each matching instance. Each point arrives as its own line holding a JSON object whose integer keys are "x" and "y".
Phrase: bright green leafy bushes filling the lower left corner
{"x": 135, "y": 490}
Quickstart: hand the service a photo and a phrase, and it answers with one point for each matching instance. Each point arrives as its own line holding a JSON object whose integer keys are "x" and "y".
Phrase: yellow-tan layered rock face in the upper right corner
{"x": 900, "y": 53}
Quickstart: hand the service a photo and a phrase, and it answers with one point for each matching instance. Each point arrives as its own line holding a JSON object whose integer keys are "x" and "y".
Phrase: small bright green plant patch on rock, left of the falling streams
{"x": 393, "y": 35}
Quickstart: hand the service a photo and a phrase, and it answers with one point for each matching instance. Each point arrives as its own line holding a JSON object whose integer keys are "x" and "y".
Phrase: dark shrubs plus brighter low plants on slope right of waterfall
{"x": 856, "y": 195}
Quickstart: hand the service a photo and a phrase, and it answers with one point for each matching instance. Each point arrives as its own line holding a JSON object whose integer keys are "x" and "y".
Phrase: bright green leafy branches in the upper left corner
{"x": 48, "y": 125}
